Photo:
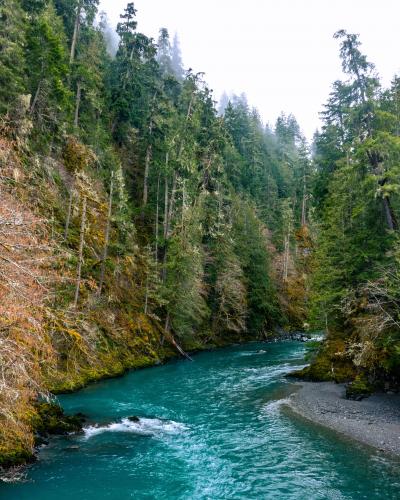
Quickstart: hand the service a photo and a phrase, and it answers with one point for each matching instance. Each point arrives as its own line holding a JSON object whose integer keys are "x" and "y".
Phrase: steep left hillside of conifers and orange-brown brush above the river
{"x": 136, "y": 223}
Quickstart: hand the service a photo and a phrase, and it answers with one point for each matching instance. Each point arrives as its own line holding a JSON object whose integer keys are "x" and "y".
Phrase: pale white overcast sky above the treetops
{"x": 279, "y": 52}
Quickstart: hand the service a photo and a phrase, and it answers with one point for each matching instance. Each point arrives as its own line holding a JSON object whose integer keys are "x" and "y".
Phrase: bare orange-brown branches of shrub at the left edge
{"x": 25, "y": 274}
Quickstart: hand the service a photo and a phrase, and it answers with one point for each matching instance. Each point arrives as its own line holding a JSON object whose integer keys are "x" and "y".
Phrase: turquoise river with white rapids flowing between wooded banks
{"x": 211, "y": 429}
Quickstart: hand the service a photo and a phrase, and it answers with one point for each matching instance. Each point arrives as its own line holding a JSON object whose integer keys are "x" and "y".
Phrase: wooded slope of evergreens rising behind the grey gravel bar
{"x": 355, "y": 279}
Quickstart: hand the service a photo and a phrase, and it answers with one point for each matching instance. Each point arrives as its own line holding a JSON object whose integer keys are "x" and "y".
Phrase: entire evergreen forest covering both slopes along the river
{"x": 141, "y": 220}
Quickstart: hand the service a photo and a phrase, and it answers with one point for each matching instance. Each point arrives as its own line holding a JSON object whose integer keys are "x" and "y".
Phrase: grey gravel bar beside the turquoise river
{"x": 374, "y": 421}
